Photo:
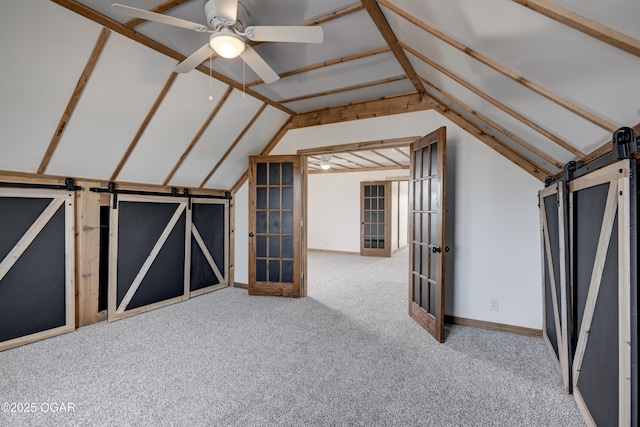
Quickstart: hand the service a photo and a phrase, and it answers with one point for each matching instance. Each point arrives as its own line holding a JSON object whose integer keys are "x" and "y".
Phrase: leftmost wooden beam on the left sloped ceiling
{"x": 75, "y": 98}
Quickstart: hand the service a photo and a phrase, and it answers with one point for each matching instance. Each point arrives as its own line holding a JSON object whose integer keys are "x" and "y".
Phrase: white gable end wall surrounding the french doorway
{"x": 494, "y": 213}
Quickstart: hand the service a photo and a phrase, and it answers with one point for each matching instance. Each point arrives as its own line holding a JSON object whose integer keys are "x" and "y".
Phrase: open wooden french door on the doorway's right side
{"x": 427, "y": 231}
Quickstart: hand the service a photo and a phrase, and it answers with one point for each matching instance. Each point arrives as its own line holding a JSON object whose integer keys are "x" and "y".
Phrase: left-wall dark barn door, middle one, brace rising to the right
{"x": 149, "y": 254}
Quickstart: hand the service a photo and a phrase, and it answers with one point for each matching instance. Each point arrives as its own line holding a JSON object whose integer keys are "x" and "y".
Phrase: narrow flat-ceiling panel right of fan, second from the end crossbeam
{"x": 346, "y": 74}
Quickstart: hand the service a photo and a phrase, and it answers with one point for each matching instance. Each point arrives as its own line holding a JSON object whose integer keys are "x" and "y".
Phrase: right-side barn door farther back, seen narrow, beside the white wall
{"x": 555, "y": 275}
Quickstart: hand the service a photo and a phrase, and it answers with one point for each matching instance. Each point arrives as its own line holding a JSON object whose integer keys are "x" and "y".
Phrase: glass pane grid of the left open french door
{"x": 274, "y": 222}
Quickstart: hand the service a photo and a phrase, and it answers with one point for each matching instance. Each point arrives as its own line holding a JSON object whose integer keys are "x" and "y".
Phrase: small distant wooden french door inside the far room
{"x": 375, "y": 218}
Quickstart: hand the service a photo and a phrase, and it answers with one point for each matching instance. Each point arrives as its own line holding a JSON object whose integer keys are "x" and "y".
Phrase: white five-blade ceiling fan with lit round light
{"x": 226, "y": 22}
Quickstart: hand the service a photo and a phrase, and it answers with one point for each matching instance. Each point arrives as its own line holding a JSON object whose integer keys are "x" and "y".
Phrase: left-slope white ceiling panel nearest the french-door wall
{"x": 252, "y": 143}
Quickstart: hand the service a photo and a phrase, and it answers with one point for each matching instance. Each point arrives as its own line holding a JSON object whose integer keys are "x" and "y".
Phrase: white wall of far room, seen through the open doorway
{"x": 334, "y": 208}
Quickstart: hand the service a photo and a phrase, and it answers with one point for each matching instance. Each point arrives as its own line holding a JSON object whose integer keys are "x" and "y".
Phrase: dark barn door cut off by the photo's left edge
{"x": 37, "y": 255}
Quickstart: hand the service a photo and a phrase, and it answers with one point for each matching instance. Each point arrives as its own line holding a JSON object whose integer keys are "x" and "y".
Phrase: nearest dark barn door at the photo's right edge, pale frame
{"x": 602, "y": 303}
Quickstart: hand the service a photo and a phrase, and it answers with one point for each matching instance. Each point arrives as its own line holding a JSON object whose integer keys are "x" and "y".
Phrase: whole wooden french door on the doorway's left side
{"x": 275, "y": 232}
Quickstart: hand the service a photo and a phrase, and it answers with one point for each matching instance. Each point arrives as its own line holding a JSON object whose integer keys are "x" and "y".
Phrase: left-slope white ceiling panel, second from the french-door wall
{"x": 230, "y": 121}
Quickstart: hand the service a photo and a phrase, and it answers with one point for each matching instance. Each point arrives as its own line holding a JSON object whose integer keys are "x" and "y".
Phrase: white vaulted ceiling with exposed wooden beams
{"x": 89, "y": 93}
